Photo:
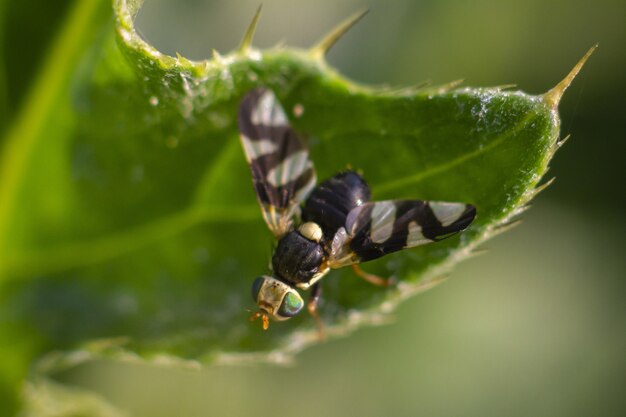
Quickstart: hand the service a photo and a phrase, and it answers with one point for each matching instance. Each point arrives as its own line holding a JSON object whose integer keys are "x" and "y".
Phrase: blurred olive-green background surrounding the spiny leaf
{"x": 534, "y": 327}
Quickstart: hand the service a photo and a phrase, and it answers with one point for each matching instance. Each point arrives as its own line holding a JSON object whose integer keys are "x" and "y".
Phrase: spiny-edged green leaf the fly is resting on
{"x": 128, "y": 222}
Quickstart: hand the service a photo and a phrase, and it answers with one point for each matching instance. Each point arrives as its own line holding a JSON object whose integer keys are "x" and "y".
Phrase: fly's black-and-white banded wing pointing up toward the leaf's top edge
{"x": 282, "y": 173}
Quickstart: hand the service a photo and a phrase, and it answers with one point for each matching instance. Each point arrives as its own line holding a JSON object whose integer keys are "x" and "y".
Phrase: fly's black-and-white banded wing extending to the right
{"x": 375, "y": 229}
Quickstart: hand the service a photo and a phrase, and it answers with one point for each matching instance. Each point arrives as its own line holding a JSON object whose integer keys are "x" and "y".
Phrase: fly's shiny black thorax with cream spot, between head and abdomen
{"x": 299, "y": 254}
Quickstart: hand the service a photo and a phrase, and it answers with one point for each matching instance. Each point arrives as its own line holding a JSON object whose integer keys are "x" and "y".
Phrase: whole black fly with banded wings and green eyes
{"x": 323, "y": 227}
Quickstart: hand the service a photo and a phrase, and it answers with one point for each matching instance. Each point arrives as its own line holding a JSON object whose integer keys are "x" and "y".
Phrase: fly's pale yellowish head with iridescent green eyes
{"x": 278, "y": 299}
